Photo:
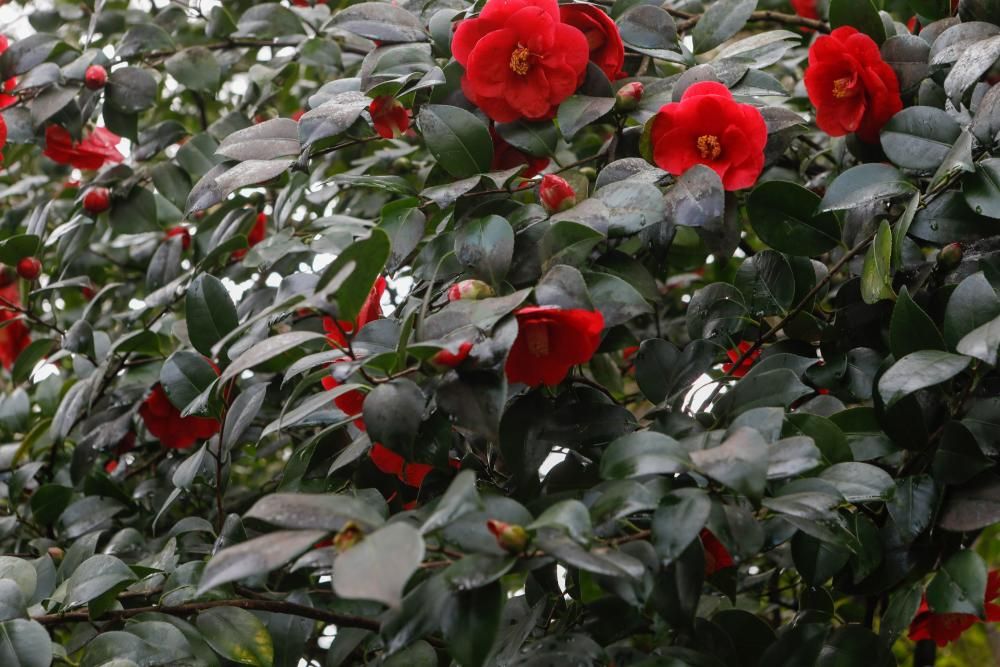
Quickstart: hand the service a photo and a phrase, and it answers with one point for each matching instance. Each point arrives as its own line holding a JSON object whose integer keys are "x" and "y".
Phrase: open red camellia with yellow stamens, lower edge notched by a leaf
{"x": 708, "y": 127}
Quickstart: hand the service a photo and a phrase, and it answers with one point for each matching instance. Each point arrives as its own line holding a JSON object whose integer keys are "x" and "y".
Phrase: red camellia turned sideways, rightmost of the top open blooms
{"x": 852, "y": 88}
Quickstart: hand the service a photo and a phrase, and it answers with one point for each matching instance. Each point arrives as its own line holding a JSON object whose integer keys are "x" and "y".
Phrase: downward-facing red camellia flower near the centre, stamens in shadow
{"x": 550, "y": 341}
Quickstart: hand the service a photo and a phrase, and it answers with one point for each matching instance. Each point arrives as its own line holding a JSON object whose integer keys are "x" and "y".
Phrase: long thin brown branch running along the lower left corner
{"x": 275, "y": 606}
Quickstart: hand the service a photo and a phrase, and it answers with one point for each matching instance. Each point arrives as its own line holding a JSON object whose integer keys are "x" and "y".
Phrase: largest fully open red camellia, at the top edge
{"x": 520, "y": 60}
